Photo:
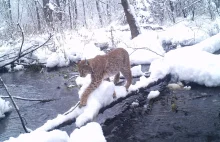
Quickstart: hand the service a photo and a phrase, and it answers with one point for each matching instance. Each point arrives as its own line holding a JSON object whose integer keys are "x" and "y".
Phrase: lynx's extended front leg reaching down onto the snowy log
{"x": 88, "y": 91}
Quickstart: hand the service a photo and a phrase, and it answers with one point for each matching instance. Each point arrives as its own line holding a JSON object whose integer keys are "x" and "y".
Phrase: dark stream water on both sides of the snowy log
{"x": 179, "y": 115}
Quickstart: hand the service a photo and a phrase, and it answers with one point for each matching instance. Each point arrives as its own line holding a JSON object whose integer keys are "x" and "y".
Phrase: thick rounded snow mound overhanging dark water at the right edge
{"x": 194, "y": 66}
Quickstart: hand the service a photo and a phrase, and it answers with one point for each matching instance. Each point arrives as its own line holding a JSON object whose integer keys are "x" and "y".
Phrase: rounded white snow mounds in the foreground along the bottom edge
{"x": 92, "y": 132}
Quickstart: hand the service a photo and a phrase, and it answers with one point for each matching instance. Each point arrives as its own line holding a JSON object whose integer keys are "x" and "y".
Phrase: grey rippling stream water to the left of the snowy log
{"x": 35, "y": 85}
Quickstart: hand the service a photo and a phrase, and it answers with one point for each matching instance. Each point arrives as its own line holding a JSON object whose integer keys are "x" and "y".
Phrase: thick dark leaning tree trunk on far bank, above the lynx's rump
{"x": 130, "y": 16}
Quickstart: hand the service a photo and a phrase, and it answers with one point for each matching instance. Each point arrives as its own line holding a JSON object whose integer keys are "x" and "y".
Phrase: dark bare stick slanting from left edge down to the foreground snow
{"x": 16, "y": 107}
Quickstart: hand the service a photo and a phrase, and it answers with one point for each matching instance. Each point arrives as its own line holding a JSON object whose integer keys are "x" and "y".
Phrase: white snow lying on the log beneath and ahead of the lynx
{"x": 99, "y": 98}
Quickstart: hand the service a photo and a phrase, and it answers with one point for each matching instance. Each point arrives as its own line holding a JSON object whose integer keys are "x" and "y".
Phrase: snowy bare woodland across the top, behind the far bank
{"x": 57, "y": 15}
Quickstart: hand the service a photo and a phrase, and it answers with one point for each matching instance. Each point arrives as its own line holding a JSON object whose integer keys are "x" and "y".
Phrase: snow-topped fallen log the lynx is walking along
{"x": 99, "y": 101}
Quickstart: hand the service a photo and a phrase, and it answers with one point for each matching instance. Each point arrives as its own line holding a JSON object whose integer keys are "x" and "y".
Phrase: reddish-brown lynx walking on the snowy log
{"x": 104, "y": 66}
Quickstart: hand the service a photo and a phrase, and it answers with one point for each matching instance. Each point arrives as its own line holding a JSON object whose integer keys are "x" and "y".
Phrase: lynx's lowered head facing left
{"x": 84, "y": 68}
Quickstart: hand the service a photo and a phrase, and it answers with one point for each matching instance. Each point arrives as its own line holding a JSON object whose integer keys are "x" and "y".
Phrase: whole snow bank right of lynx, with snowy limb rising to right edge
{"x": 190, "y": 63}
